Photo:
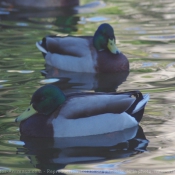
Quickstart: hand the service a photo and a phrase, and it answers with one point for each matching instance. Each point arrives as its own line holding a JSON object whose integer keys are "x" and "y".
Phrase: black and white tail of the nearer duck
{"x": 137, "y": 108}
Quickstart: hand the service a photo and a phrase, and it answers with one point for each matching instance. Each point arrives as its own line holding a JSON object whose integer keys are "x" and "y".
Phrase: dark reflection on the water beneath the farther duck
{"x": 99, "y": 82}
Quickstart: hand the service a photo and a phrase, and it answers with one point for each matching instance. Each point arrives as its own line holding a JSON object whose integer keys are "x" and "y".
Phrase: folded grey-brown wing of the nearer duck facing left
{"x": 92, "y": 105}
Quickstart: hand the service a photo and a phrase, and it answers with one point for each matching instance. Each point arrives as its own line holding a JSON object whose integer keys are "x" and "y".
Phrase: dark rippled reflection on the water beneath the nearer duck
{"x": 55, "y": 153}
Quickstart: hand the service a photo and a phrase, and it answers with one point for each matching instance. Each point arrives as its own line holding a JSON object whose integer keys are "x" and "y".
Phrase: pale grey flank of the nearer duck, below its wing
{"x": 99, "y": 124}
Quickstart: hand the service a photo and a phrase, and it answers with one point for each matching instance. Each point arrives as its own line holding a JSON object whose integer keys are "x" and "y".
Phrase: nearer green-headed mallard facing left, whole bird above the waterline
{"x": 54, "y": 114}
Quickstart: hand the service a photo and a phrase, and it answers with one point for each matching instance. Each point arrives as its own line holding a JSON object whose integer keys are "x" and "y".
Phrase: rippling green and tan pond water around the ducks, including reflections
{"x": 145, "y": 32}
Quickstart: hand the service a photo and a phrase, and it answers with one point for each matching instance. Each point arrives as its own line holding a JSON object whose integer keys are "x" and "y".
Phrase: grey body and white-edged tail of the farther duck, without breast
{"x": 69, "y": 53}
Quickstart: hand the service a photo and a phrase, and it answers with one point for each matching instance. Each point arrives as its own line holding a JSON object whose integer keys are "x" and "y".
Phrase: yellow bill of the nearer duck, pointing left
{"x": 26, "y": 114}
